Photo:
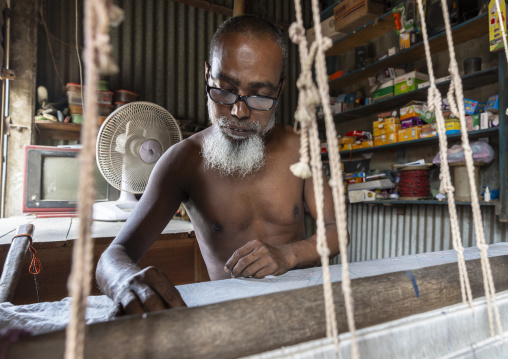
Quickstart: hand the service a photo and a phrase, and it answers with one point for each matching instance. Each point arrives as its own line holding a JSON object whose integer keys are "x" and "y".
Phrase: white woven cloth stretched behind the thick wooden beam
{"x": 49, "y": 316}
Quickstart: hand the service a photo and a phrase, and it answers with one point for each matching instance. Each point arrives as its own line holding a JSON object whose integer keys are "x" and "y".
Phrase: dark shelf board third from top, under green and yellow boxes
{"x": 469, "y": 81}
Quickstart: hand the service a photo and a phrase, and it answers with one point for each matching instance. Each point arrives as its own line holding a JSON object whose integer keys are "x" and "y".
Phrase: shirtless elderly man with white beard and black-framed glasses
{"x": 233, "y": 178}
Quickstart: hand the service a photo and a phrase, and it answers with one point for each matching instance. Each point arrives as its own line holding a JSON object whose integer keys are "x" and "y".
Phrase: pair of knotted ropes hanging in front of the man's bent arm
{"x": 309, "y": 97}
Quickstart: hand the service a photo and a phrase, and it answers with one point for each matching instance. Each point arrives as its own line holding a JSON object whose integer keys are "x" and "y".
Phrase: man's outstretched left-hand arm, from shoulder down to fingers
{"x": 134, "y": 290}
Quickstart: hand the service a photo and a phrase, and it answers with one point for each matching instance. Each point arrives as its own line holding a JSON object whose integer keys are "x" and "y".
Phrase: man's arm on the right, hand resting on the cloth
{"x": 259, "y": 259}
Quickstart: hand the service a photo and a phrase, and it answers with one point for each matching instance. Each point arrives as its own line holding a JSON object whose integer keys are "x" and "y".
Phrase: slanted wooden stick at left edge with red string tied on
{"x": 12, "y": 266}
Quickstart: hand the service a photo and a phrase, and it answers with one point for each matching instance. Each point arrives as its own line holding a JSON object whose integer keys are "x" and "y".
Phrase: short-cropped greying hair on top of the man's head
{"x": 250, "y": 25}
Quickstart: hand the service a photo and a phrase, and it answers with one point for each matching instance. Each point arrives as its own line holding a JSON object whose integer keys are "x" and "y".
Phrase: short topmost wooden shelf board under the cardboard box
{"x": 363, "y": 34}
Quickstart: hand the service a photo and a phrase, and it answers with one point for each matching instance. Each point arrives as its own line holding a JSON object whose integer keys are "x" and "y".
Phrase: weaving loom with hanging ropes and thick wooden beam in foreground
{"x": 206, "y": 328}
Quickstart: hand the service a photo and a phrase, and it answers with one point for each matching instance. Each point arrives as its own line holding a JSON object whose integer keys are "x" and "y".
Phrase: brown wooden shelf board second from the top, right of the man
{"x": 461, "y": 33}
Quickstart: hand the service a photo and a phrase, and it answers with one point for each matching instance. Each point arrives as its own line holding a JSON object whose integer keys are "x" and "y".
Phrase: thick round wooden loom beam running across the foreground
{"x": 258, "y": 324}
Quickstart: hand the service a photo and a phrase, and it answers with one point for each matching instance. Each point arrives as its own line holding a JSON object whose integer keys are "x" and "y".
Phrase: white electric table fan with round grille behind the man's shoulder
{"x": 129, "y": 143}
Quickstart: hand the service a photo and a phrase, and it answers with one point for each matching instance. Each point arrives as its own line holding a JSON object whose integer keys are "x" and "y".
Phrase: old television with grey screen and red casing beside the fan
{"x": 51, "y": 181}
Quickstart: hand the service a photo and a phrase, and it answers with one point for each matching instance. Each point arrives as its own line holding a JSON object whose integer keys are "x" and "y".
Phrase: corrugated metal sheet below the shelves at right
{"x": 379, "y": 231}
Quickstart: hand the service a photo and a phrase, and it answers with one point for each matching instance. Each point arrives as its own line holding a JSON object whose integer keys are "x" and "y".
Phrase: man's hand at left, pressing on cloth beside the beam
{"x": 147, "y": 291}
